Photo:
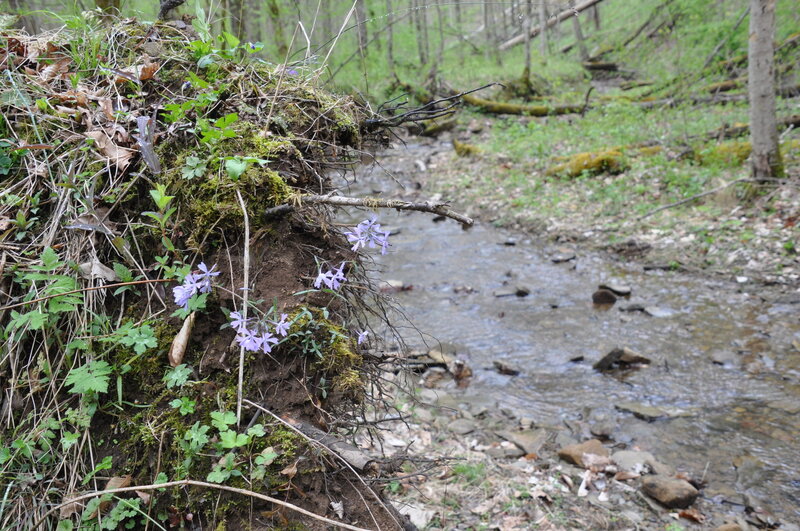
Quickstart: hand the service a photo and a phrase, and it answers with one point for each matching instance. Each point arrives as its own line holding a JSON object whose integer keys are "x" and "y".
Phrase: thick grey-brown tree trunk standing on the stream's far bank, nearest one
{"x": 766, "y": 158}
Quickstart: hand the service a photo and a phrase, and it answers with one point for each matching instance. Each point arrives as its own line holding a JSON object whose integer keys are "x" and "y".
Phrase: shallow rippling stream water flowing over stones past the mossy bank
{"x": 740, "y": 410}
